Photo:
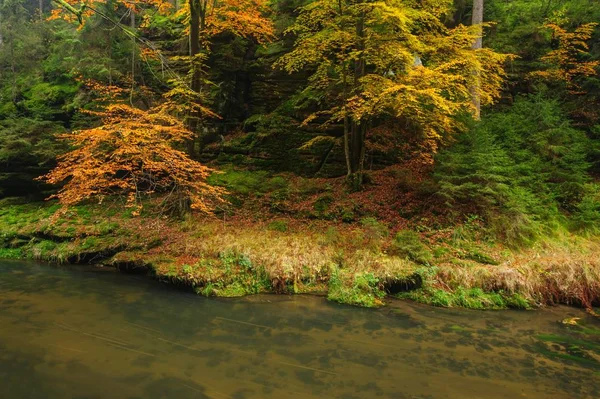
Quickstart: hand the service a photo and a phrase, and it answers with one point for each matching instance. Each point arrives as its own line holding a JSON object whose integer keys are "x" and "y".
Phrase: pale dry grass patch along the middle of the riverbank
{"x": 290, "y": 256}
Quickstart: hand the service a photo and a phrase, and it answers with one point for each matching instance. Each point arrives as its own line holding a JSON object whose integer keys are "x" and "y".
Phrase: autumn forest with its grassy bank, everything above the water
{"x": 445, "y": 152}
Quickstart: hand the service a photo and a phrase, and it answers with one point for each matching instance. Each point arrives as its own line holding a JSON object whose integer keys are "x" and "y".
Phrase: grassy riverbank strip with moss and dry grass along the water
{"x": 353, "y": 263}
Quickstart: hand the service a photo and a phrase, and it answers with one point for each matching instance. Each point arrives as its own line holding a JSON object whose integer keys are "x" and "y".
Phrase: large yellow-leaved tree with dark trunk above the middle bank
{"x": 389, "y": 59}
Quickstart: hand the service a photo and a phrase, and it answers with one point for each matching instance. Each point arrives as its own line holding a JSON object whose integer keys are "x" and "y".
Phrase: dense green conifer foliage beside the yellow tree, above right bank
{"x": 523, "y": 169}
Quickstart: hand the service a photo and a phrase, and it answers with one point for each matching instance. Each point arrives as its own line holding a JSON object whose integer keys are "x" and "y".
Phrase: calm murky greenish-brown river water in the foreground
{"x": 76, "y": 332}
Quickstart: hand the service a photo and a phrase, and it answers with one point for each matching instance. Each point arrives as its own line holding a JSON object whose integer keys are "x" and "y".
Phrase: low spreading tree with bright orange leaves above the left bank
{"x": 132, "y": 154}
